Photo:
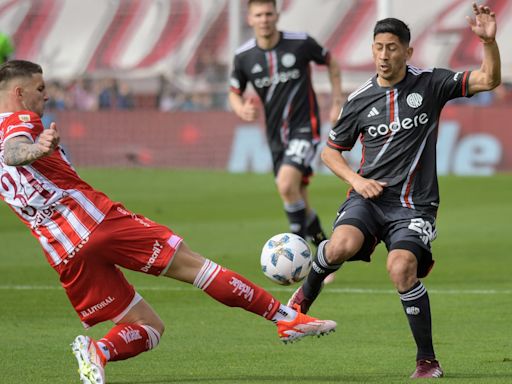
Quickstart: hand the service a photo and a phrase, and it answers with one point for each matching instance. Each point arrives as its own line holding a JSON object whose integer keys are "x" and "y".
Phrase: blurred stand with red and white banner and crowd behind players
{"x": 173, "y": 55}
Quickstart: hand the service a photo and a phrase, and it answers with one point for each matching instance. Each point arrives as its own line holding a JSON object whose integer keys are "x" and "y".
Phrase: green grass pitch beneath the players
{"x": 227, "y": 218}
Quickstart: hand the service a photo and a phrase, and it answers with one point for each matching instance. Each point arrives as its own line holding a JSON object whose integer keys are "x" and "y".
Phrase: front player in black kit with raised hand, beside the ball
{"x": 394, "y": 195}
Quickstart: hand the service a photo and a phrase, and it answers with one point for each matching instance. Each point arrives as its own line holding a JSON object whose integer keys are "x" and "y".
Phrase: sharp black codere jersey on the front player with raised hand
{"x": 398, "y": 127}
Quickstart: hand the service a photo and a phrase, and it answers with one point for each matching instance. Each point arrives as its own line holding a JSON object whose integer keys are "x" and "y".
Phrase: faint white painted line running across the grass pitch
{"x": 284, "y": 289}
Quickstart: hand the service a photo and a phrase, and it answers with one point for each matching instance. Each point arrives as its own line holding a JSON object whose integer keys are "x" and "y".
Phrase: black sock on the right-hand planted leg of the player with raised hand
{"x": 416, "y": 305}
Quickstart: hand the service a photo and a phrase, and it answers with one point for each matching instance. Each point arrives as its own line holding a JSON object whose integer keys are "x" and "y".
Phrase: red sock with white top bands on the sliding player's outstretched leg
{"x": 234, "y": 290}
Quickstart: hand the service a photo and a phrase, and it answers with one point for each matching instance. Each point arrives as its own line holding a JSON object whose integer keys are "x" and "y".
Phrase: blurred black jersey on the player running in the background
{"x": 282, "y": 78}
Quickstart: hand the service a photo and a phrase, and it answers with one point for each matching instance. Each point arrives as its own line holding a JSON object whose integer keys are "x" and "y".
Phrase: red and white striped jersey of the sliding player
{"x": 48, "y": 195}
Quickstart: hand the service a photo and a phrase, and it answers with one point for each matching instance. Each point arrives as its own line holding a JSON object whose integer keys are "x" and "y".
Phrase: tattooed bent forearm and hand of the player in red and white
{"x": 21, "y": 151}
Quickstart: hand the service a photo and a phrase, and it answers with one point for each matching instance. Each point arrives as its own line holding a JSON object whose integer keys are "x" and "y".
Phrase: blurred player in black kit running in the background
{"x": 278, "y": 66}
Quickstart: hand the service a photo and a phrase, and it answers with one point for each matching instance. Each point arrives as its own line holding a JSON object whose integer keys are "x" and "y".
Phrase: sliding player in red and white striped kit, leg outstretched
{"x": 85, "y": 236}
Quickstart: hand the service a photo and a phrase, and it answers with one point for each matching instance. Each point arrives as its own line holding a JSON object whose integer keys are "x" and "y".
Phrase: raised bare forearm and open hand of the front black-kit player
{"x": 484, "y": 26}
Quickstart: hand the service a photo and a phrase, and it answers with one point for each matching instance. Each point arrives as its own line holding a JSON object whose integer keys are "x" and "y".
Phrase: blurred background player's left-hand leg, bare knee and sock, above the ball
{"x": 289, "y": 185}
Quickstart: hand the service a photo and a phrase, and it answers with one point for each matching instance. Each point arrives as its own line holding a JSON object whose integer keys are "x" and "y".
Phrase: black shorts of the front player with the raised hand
{"x": 398, "y": 227}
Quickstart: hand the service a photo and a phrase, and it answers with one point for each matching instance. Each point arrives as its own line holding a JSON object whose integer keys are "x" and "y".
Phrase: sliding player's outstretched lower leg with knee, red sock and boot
{"x": 234, "y": 290}
